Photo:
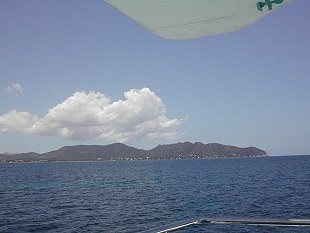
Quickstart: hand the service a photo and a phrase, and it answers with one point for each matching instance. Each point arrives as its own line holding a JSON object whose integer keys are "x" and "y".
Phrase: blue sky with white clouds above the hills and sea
{"x": 80, "y": 72}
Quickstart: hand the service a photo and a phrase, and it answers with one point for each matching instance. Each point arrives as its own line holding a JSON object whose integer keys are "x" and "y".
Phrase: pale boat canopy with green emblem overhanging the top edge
{"x": 185, "y": 19}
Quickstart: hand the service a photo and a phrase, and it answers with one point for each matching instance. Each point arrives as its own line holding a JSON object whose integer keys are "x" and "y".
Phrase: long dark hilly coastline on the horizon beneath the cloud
{"x": 119, "y": 151}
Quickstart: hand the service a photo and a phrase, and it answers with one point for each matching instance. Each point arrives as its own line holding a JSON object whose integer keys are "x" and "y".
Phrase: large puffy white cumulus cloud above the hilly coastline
{"x": 90, "y": 115}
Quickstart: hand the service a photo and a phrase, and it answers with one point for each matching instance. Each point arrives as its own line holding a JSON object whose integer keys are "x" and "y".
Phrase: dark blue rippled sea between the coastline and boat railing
{"x": 134, "y": 196}
